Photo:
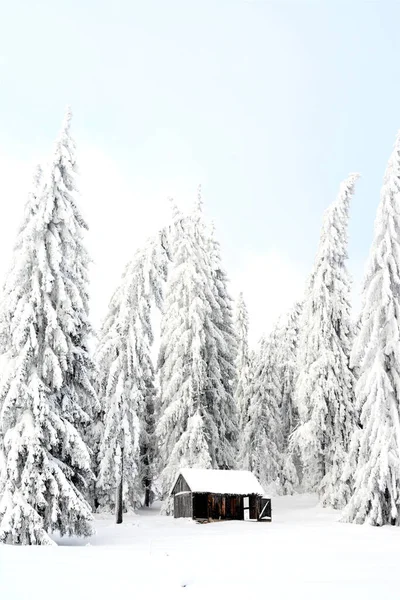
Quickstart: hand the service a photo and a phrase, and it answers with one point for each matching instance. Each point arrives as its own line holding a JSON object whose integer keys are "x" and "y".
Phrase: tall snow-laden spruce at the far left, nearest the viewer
{"x": 46, "y": 395}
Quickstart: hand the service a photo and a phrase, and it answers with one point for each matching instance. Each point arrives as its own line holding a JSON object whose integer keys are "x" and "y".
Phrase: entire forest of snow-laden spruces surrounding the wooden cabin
{"x": 88, "y": 419}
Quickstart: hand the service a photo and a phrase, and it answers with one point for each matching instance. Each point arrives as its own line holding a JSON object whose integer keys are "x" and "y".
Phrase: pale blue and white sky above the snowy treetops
{"x": 268, "y": 104}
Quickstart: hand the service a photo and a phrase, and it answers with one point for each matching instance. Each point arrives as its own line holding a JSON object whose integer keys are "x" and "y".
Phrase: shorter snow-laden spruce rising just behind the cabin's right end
{"x": 261, "y": 439}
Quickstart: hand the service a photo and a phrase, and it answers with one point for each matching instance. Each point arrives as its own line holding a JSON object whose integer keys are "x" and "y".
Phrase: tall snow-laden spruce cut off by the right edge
{"x": 375, "y": 449}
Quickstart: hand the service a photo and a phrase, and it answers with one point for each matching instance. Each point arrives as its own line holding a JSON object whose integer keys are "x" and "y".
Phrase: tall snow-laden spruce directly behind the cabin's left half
{"x": 192, "y": 388}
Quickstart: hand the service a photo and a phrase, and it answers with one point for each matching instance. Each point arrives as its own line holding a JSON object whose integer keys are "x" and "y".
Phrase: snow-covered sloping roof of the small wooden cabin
{"x": 216, "y": 481}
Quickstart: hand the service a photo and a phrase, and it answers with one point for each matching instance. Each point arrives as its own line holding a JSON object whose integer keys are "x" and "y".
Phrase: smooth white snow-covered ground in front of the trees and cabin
{"x": 303, "y": 553}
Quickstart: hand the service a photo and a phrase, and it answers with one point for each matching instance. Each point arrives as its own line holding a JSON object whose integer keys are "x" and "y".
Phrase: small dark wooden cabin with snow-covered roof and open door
{"x": 211, "y": 494}
